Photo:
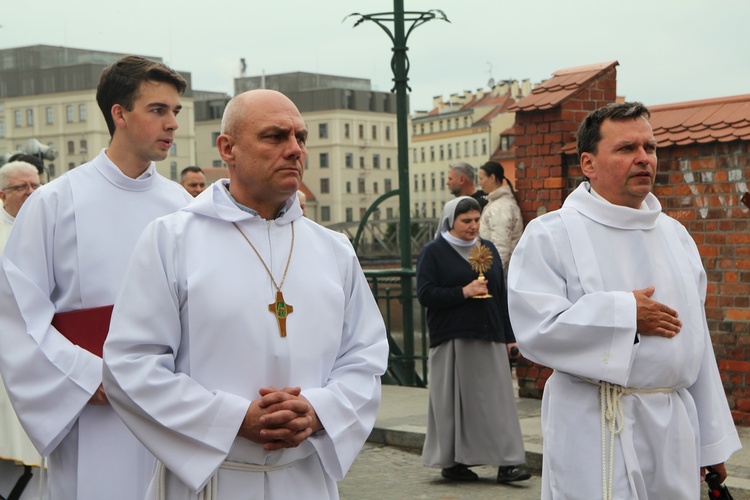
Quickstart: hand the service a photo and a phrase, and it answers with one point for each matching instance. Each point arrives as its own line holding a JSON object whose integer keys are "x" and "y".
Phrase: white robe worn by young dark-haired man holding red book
{"x": 68, "y": 251}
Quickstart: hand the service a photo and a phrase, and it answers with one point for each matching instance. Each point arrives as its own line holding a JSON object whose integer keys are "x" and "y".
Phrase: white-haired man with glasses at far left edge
{"x": 18, "y": 180}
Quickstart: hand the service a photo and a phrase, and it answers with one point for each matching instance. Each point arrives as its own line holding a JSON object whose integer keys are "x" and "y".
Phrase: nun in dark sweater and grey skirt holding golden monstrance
{"x": 472, "y": 417}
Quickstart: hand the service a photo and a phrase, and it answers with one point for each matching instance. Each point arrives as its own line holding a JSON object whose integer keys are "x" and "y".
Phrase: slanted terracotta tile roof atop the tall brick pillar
{"x": 563, "y": 84}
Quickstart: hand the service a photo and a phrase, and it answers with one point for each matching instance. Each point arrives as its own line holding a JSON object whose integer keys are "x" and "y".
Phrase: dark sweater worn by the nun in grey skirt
{"x": 441, "y": 275}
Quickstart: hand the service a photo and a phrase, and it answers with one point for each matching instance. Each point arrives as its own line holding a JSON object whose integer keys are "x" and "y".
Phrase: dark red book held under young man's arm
{"x": 86, "y": 328}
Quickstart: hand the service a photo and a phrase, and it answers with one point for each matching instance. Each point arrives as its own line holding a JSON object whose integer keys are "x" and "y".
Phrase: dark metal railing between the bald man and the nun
{"x": 407, "y": 360}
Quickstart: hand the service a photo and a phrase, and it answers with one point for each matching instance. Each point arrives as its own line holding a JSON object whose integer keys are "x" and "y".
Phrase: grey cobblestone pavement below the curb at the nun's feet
{"x": 389, "y": 473}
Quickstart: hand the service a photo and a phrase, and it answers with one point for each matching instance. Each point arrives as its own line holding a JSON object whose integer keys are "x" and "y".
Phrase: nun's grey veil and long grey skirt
{"x": 472, "y": 417}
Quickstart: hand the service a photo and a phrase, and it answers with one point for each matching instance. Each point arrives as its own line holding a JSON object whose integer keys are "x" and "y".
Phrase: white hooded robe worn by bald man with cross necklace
{"x": 192, "y": 341}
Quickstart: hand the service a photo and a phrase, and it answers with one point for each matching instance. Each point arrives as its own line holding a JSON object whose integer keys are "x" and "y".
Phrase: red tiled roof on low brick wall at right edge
{"x": 724, "y": 119}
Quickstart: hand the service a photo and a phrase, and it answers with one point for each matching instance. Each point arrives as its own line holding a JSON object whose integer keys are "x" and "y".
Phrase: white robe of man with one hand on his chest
{"x": 570, "y": 293}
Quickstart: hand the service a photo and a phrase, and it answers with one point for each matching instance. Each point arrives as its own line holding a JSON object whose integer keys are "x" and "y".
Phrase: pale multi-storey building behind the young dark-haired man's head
{"x": 49, "y": 94}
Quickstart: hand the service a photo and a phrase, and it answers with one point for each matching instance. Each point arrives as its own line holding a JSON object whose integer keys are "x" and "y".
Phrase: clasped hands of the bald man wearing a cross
{"x": 281, "y": 418}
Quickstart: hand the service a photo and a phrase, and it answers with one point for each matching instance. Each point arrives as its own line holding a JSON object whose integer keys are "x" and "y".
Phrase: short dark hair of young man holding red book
{"x": 121, "y": 81}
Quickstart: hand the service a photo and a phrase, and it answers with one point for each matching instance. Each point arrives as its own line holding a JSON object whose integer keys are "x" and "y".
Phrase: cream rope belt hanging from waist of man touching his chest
{"x": 613, "y": 420}
